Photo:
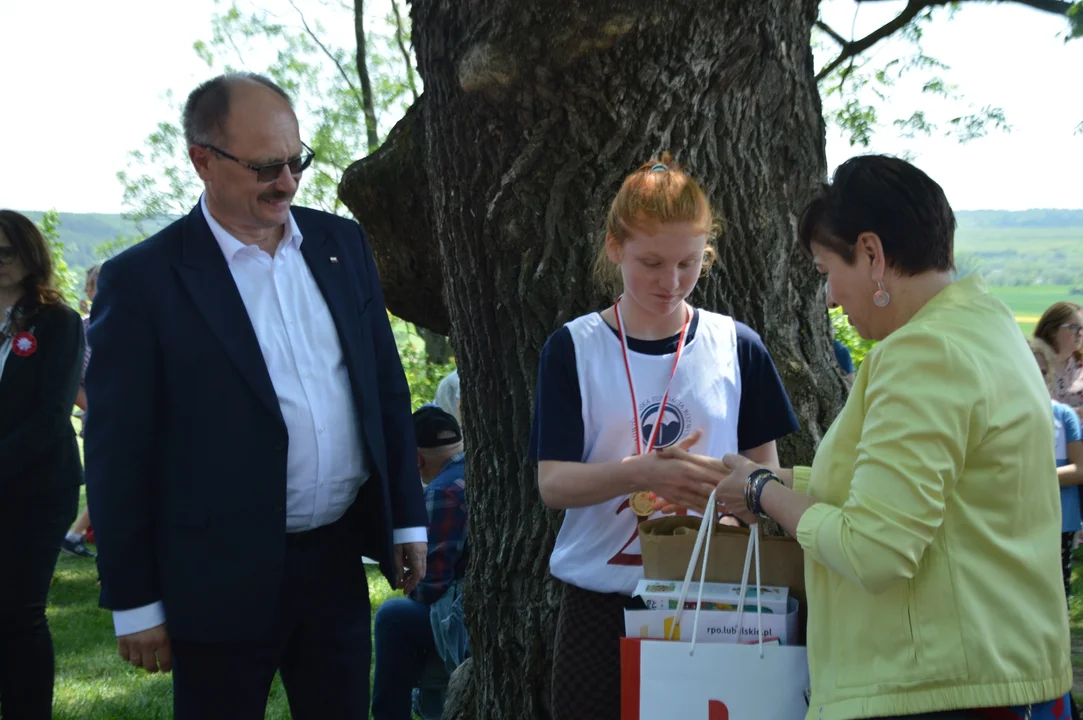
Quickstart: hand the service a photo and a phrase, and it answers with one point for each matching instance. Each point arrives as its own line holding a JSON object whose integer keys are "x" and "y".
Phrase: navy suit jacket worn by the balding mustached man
{"x": 186, "y": 446}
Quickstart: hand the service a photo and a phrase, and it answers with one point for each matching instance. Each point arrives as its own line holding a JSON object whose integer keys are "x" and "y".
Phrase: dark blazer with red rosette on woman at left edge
{"x": 38, "y": 449}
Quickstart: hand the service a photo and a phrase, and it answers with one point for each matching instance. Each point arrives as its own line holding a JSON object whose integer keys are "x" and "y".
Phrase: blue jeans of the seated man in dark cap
{"x": 403, "y": 646}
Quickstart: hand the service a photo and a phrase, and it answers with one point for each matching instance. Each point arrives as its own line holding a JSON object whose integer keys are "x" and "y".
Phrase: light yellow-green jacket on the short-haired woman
{"x": 933, "y": 559}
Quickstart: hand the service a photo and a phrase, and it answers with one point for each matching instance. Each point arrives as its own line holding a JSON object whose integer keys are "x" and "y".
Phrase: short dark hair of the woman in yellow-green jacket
{"x": 891, "y": 198}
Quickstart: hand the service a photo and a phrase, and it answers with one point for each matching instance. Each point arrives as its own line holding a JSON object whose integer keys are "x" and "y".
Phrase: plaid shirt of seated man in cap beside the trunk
{"x": 446, "y": 499}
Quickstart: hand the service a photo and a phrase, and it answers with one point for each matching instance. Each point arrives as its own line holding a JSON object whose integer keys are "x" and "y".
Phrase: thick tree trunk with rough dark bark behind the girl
{"x": 533, "y": 114}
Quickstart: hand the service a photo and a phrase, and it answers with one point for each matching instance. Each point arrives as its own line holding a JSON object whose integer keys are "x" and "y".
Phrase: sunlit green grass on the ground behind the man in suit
{"x": 93, "y": 683}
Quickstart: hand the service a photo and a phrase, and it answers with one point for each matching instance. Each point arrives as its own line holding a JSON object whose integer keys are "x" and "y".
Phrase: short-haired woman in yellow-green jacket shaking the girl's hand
{"x": 931, "y": 516}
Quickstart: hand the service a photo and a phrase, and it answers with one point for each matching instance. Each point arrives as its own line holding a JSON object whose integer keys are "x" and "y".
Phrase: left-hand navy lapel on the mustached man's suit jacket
{"x": 204, "y": 272}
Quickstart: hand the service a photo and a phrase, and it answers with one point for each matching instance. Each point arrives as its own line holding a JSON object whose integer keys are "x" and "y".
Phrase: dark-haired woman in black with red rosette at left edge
{"x": 42, "y": 355}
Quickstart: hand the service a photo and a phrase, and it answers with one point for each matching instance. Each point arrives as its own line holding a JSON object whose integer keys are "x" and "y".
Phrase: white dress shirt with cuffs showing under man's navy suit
{"x": 327, "y": 465}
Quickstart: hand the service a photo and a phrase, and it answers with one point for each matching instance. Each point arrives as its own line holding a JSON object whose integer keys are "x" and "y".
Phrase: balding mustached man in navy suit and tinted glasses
{"x": 251, "y": 435}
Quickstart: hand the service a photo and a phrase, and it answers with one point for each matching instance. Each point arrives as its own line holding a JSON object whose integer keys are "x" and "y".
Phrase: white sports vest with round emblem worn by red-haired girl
{"x": 598, "y": 547}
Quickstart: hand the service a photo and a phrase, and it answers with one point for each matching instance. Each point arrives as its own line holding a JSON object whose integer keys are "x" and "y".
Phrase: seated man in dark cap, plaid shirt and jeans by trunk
{"x": 427, "y": 626}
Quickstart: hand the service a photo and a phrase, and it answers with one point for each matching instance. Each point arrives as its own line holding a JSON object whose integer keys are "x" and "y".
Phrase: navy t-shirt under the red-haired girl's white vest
{"x": 765, "y": 414}
